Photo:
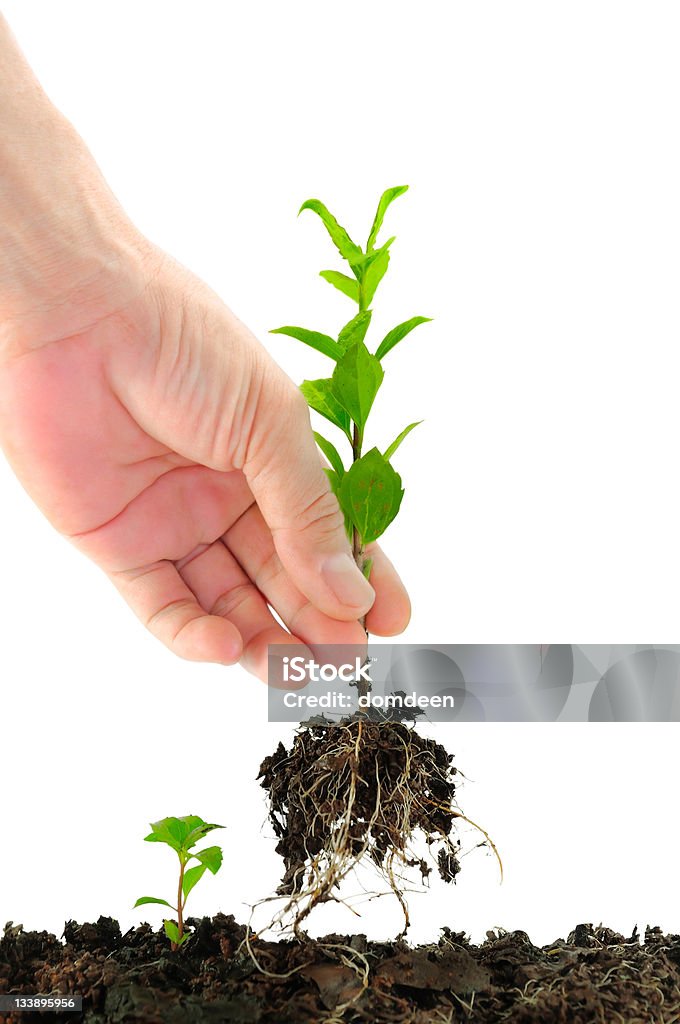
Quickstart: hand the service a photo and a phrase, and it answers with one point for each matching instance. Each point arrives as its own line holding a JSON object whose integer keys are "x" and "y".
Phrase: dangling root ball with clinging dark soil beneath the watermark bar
{"x": 361, "y": 789}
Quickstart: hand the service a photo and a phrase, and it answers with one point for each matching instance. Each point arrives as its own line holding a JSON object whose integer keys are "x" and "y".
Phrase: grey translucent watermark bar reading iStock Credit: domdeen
{"x": 476, "y": 682}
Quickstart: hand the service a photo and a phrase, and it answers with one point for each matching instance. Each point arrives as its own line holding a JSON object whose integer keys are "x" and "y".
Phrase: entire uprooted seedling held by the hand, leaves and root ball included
{"x": 364, "y": 788}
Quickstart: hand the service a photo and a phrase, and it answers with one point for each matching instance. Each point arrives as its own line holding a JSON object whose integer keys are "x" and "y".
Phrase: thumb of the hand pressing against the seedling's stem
{"x": 284, "y": 473}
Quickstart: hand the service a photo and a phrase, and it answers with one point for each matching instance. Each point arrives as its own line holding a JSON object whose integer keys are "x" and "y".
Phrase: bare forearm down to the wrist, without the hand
{"x": 65, "y": 243}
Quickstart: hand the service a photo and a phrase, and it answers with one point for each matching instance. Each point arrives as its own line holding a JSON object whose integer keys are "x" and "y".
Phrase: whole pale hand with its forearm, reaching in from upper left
{"x": 151, "y": 426}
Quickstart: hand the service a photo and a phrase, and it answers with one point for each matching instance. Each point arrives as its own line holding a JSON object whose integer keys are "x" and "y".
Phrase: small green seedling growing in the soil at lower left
{"x": 183, "y": 835}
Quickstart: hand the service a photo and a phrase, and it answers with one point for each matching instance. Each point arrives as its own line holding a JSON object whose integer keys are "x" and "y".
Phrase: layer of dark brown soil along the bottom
{"x": 594, "y": 976}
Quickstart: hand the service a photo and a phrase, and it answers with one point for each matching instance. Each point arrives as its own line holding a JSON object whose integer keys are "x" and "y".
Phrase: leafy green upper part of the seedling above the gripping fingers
{"x": 369, "y": 490}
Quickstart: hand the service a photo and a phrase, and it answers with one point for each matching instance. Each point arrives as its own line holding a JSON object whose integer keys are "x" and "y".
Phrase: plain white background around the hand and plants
{"x": 541, "y": 232}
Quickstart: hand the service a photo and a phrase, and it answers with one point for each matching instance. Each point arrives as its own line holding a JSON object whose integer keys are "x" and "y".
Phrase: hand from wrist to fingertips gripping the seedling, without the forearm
{"x": 166, "y": 444}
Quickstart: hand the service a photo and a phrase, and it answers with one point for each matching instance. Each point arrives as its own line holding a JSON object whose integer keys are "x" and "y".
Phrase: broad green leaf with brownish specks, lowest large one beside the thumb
{"x": 371, "y": 494}
